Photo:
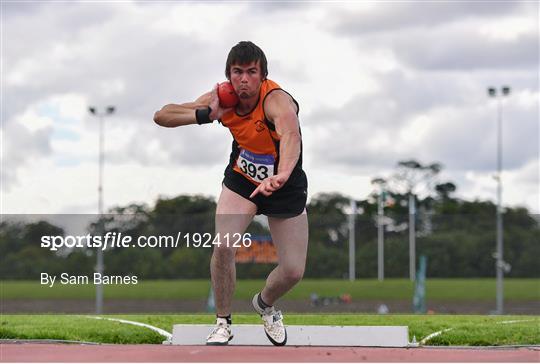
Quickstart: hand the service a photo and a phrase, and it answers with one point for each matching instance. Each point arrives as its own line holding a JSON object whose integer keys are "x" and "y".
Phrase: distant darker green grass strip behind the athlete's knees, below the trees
{"x": 436, "y": 289}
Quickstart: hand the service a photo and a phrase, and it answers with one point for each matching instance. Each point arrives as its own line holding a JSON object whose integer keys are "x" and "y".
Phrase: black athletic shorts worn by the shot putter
{"x": 288, "y": 201}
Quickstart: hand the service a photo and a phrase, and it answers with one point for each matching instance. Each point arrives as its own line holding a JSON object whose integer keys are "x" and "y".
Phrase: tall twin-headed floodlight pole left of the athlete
{"x": 101, "y": 159}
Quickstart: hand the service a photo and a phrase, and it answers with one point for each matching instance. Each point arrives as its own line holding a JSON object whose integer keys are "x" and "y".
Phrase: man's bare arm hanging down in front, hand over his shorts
{"x": 281, "y": 110}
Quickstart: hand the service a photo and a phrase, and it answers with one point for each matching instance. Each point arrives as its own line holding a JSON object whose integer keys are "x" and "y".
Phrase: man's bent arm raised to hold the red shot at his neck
{"x": 173, "y": 115}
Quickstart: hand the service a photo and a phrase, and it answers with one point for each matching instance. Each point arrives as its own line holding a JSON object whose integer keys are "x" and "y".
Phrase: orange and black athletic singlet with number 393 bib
{"x": 255, "y": 148}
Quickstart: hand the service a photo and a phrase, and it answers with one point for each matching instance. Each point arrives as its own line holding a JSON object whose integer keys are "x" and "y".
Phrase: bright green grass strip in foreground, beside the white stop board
{"x": 465, "y": 329}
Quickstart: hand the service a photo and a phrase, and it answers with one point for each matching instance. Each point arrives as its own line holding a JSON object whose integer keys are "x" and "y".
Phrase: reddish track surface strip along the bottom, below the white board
{"x": 168, "y": 353}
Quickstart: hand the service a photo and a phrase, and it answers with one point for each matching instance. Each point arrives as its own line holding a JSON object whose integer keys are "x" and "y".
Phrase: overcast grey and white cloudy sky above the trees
{"x": 377, "y": 82}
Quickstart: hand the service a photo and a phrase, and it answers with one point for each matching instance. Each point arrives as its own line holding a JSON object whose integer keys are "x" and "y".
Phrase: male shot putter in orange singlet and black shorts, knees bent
{"x": 264, "y": 176}
